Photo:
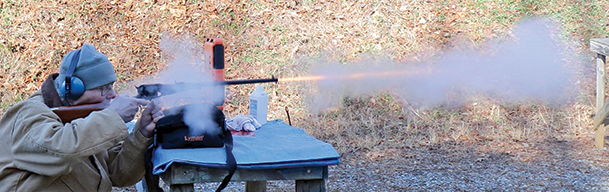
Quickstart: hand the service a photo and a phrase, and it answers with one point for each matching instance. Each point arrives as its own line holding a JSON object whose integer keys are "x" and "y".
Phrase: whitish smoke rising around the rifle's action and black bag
{"x": 188, "y": 64}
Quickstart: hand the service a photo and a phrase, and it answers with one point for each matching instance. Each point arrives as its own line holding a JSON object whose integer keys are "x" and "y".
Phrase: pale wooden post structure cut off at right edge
{"x": 601, "y": 47}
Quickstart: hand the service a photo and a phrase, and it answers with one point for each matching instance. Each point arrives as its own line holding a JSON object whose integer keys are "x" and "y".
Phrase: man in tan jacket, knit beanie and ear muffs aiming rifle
{"x": 40, "y": 152}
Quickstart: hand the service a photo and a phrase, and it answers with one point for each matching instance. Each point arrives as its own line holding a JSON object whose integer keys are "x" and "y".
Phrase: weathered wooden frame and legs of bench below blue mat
{"x": 181, "y": 177}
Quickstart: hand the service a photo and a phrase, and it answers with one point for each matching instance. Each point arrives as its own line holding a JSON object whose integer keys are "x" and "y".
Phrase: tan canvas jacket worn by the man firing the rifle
{"x": 39, "y": 153}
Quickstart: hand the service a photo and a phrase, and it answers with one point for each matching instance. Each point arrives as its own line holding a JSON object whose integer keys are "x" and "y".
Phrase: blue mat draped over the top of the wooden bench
{"x": 275, "y": 145}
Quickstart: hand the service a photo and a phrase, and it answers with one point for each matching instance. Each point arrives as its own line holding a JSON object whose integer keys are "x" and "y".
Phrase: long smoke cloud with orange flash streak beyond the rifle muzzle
{"x": 529, "y": 67}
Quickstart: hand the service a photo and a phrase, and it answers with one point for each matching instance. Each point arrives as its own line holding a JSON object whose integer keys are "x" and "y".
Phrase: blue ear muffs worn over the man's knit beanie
{"x": 73, "y": 87}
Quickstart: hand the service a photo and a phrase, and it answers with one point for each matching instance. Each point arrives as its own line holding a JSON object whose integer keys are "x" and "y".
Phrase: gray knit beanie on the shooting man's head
{"x": 93, "y": 68}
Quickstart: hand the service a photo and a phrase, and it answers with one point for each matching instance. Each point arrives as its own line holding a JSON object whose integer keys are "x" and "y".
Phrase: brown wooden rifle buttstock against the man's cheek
{"x": 69, "y": 113}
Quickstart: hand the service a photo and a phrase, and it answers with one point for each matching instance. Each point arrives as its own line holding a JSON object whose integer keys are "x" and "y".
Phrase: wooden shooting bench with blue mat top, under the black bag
{"x": 276, "y": 151}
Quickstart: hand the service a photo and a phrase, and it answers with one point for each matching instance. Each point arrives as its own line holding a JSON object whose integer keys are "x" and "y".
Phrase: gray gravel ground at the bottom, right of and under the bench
{"x": 549, "y": 165}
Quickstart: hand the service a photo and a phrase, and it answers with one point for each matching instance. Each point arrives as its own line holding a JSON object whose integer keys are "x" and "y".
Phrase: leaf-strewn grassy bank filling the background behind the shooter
{"x": 265, "y": 38}
